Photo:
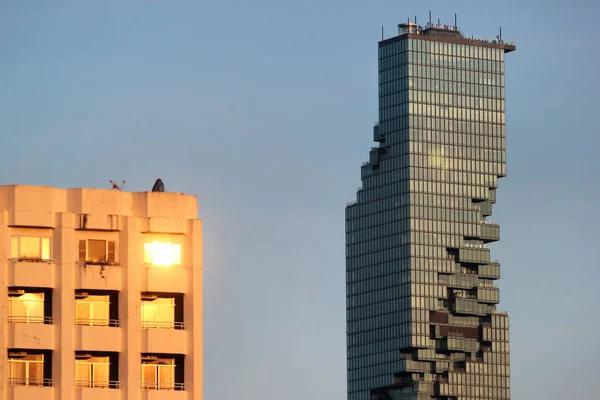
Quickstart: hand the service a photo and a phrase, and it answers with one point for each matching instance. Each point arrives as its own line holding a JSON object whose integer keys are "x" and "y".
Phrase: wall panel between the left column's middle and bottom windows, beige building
{"x": 30, "y": 335}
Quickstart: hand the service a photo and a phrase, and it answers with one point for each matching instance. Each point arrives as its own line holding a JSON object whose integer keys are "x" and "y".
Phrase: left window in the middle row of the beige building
{"x": 29, "y": 306}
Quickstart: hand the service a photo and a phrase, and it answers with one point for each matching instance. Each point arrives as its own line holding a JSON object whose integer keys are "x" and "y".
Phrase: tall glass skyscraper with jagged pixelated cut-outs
{"x": 422, "y": 321}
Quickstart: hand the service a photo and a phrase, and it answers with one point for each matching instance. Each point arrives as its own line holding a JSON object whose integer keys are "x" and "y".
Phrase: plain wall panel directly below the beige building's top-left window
{"x": 31, "y": 273}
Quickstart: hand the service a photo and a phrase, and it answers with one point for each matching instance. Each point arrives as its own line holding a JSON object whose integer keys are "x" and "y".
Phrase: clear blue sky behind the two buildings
{"x": 264, "y": 109}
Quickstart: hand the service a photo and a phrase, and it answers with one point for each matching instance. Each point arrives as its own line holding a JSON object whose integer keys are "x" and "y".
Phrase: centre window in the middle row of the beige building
{"x": 96, "y": 308}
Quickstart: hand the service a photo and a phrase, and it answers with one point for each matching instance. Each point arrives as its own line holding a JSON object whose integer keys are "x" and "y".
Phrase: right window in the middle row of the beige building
{"x": 162, "y": 311}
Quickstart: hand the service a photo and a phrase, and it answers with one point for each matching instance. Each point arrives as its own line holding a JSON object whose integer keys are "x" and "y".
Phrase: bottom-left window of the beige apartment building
{"x": 29, "y": 368}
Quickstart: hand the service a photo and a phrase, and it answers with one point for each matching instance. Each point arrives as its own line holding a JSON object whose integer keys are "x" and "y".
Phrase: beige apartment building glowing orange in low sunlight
{"x": 100, "y": 295}
